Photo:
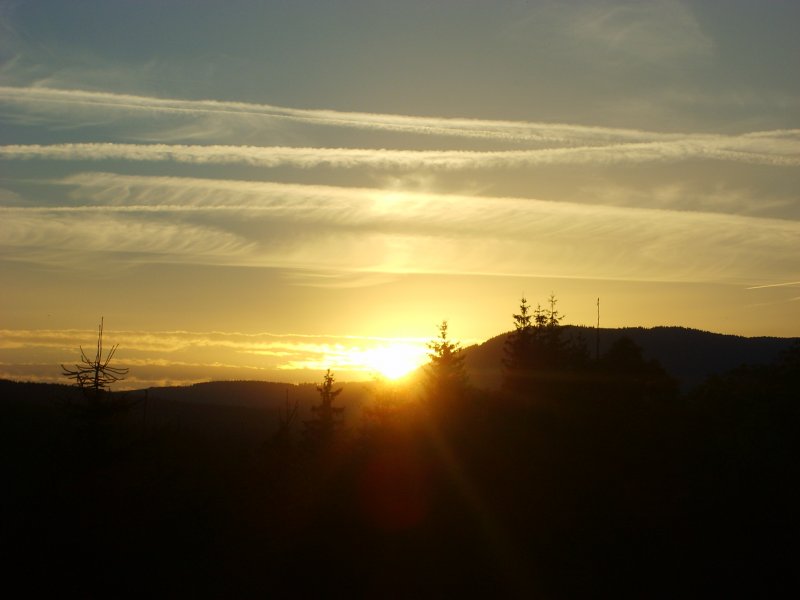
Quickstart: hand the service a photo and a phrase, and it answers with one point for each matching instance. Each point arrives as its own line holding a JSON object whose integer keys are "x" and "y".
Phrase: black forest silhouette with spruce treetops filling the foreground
{"x": 582, "y": 474}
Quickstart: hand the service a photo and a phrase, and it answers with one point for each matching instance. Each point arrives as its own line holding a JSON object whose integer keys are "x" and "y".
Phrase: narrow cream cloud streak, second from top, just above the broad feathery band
{"x": 780, "y": 149}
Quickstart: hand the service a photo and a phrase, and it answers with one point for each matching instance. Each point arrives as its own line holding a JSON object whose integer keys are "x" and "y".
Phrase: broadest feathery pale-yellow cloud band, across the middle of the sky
{"x": 374, "y": 231}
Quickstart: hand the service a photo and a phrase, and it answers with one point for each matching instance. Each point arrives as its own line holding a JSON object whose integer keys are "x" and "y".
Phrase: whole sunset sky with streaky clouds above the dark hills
{"x": 264, "y": 190}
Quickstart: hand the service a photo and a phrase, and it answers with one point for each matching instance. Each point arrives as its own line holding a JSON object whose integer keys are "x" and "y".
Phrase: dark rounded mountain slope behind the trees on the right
{"x": 689, "y": 355}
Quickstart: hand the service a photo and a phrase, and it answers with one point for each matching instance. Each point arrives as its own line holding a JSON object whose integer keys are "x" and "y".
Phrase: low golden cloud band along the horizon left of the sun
{"x": 184, "y": 357}
